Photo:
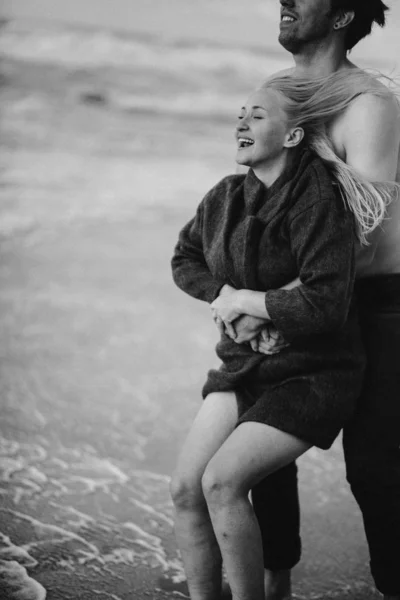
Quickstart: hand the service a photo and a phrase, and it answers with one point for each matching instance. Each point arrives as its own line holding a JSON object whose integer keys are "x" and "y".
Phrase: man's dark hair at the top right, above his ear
{"x": 367, "y": 12}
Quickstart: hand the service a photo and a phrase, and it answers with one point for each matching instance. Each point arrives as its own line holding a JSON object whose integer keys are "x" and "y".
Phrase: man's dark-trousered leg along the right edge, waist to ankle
{"x": 372, "y": 440}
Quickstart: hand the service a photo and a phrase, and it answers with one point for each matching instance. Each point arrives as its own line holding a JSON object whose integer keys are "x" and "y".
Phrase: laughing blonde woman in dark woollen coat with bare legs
{"x": 251, "y": 235}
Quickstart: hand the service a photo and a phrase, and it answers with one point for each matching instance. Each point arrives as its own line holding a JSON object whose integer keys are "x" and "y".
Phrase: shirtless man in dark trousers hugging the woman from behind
{"x": 319, "y": 34}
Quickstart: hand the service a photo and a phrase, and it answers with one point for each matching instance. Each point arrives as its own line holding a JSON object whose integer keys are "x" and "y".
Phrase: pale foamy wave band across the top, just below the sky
{"x": 96, "y": 48}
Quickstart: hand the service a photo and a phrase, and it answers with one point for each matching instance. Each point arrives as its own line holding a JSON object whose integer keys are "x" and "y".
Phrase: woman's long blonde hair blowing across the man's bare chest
{"x": 311, "y": 104}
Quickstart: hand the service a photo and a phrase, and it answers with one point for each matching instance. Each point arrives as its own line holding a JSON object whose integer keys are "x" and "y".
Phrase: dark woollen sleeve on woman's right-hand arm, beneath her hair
{"x": 322, "y": 239}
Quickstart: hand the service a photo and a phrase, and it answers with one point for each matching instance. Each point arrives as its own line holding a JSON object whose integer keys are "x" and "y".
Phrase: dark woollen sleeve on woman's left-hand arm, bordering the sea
{"x": 189, "y": 267}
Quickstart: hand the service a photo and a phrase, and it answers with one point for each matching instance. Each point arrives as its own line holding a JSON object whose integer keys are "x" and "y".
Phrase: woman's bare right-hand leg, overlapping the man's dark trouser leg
{"x": 252, "y": 452}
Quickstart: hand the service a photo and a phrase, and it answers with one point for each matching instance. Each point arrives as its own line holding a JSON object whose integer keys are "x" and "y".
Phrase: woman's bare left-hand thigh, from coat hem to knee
{"x": 215, "y": 421}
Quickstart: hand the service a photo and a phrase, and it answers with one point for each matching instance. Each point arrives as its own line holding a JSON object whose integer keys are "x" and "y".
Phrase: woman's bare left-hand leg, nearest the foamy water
{"x": 196, "y": 540}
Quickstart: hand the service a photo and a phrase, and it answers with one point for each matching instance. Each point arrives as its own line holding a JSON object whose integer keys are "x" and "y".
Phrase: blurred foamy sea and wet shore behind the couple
{"x": 102, "y": 358}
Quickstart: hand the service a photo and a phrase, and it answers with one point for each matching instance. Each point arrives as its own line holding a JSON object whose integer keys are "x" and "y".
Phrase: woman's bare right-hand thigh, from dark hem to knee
{"x": 253, "y": 451}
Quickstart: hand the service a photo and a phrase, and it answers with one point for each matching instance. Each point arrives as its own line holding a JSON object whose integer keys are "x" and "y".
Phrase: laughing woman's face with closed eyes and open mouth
{"x": 262, "y": 129}
